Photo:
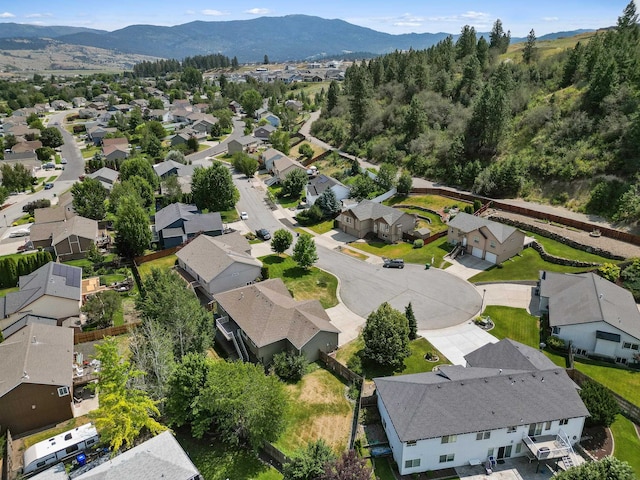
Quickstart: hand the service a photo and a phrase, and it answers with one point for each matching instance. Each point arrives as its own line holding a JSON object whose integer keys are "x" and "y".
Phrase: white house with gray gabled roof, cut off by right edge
{"x": 594, "y": 315}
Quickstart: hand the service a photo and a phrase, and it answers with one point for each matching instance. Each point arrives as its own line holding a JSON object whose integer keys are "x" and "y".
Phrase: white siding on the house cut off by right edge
{"x": 583, "y": 337}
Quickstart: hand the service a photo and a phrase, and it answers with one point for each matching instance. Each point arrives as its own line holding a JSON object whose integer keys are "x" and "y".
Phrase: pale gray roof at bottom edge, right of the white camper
{"x": 159, "y": 457}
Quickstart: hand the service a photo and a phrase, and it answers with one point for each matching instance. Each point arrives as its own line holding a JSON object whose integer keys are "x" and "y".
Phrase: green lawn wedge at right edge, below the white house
{"x": 624, "y": 382}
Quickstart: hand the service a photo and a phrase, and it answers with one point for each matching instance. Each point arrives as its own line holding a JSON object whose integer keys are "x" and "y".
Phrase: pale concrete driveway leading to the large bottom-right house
{"x": 457, "y": 341}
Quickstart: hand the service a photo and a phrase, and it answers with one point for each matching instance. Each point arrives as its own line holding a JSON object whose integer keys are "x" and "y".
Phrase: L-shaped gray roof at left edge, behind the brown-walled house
{"x": 53, "y": 279}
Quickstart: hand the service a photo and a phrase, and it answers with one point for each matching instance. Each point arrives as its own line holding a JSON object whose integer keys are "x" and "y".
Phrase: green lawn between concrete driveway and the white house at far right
{"x": 514, "y": 323}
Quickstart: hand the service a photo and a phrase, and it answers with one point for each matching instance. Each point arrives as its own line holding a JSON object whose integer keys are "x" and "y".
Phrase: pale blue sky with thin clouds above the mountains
{"x": 403, "y": 16}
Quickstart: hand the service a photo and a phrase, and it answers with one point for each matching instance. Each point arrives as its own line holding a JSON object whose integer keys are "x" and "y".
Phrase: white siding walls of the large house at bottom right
{"x": 466, "y": 447}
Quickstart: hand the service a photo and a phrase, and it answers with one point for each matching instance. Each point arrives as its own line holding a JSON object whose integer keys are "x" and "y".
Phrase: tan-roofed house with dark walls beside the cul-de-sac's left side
{"x": 263, "y": 319}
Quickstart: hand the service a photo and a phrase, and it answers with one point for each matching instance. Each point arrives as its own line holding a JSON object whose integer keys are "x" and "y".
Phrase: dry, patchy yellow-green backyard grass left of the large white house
{"x": 319, "y": 409}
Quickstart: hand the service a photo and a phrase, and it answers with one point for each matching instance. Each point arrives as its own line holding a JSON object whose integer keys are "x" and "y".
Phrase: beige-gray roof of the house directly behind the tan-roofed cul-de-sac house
{"x": 208, "y": 256}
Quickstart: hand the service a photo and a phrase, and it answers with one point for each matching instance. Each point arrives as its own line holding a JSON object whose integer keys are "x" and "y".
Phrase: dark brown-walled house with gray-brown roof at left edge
{"x": 36, "y": 378}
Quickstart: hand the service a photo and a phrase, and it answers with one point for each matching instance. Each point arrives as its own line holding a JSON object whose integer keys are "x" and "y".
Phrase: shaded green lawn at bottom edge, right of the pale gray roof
{"x": 217, "y": 461}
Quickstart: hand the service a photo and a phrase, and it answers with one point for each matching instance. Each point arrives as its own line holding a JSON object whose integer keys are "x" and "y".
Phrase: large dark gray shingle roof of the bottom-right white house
{"x": 430, "y": 405}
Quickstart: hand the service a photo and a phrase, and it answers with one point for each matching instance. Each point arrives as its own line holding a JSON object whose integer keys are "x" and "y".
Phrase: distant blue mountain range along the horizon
{"x": 292, "y": 37}
